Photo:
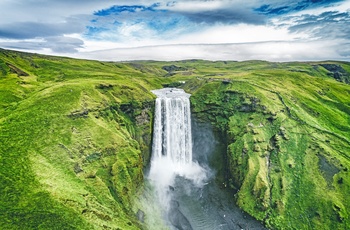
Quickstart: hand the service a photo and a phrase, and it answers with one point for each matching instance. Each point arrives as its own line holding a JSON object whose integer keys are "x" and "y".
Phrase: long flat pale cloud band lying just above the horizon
{"x": 272, "y": 51}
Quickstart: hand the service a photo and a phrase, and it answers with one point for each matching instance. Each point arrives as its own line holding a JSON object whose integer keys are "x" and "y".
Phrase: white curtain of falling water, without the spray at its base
{"x": 172, "y": 136}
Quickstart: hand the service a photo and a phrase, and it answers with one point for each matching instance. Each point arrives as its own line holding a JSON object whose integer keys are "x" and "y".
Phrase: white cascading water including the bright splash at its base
{"x": 172, "y": 143}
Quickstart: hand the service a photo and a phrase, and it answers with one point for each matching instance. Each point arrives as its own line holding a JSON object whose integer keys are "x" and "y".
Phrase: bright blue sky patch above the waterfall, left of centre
{"x": 143, "y": 18}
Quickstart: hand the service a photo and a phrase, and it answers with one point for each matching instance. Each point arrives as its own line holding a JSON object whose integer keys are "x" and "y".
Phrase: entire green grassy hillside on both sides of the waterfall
{"x": 75, "y": 136}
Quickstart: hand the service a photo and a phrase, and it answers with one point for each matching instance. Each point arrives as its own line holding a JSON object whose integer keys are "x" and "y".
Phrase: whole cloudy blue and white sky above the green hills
{"x": 122, "y": 30}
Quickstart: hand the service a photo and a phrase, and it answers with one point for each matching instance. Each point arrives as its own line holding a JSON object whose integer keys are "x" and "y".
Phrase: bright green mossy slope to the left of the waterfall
{"x": 74, "y": 135}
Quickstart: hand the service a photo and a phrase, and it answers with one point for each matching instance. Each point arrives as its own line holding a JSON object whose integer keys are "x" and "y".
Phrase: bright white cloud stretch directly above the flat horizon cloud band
{"x": 240, "y": 33}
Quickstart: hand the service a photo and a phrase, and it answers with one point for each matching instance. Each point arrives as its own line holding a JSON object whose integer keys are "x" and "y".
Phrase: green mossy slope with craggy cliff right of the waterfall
{"x": 288, "y": 135}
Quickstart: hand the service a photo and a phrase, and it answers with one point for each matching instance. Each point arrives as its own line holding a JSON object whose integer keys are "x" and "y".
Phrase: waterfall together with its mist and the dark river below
{"x": 180, "y": 192}
